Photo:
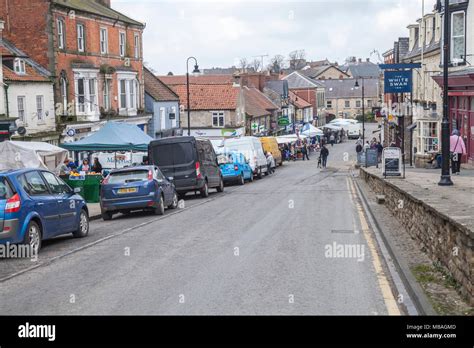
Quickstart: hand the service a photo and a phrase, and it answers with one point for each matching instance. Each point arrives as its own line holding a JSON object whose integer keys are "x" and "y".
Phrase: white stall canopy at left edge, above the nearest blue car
{"x": 31, "y": 154}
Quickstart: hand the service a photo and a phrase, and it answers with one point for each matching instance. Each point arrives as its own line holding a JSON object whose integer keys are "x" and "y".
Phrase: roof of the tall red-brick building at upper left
{"x": 94, "y": 7}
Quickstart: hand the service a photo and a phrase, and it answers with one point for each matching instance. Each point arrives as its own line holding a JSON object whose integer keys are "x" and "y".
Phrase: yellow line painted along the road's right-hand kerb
{"x": 390, "y": 301}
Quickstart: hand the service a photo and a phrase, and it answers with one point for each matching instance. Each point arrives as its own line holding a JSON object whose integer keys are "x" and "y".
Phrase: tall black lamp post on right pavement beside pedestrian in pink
{"x": 445, "y": 175}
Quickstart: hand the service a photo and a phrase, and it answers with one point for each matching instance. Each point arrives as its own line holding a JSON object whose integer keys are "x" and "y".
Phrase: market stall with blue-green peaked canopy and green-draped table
{"x": 113, "y": 137}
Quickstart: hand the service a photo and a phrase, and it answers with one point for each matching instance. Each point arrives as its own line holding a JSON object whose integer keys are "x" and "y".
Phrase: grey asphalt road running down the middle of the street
{"x": 262, "y": 248}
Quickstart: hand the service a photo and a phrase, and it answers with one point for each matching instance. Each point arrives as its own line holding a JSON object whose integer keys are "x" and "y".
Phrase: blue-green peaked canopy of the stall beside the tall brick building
{"x": 114, "y": 136}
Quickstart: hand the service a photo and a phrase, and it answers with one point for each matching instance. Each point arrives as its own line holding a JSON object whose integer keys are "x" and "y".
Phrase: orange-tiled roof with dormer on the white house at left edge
{"x": 34, "y": 71}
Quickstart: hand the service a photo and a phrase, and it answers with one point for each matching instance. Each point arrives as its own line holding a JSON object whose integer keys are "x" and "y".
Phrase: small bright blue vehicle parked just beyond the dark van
{"x": 235, "y": 168}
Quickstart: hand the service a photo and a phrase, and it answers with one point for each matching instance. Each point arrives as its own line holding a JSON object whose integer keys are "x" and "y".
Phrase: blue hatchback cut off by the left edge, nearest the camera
{"x": 36, "y": 205}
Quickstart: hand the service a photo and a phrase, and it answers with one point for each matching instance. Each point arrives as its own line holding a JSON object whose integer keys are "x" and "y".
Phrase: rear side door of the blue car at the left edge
{"x": 45, "y": 204}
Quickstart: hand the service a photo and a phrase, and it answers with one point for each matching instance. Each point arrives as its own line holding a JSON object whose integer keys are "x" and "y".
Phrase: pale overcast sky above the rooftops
{"x": 219, "y": 33}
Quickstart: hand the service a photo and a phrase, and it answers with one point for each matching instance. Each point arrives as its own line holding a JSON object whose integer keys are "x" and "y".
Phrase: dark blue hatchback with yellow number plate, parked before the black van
{"x": 136, "y": 188}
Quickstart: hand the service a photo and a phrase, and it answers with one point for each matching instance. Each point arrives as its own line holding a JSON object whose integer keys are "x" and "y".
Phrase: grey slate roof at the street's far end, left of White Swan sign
{"x": 344, "y": 88}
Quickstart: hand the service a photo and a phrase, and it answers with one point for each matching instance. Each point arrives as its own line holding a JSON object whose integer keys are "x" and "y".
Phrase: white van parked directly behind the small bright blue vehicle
{"x": 252, "y": 149}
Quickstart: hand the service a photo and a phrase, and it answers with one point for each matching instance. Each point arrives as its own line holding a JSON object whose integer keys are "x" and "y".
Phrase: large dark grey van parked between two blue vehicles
{"x": 191, "y": 161}
